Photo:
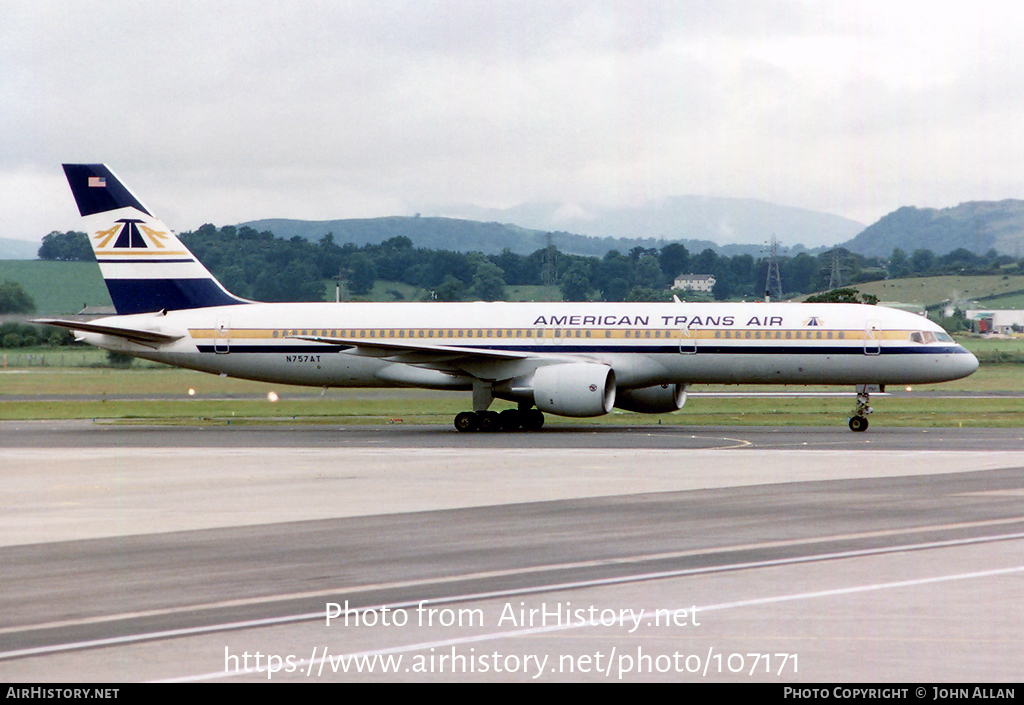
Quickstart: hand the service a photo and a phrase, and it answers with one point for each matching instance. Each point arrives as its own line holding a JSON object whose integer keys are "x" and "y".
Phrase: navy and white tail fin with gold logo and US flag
{"x": 145, "y": 266}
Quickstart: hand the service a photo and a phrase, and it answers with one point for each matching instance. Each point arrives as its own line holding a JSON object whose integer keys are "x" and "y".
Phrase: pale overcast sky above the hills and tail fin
{"x": 224, "y": 112}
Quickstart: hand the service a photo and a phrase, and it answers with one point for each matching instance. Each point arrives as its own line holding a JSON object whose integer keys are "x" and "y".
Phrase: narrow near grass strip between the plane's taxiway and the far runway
{"x": 411, "y": 406}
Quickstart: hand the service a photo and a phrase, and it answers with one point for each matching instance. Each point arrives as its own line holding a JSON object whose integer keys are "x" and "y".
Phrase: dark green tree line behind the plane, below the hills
{"x": 262, "y": 267}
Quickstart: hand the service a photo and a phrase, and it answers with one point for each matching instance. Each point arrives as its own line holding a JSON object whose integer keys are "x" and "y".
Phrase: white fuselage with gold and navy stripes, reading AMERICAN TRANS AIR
{"x": 645, "y": 344}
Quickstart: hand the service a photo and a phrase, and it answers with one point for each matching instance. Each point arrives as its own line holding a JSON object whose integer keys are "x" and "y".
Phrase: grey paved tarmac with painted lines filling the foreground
{"x": 685, "y": 555}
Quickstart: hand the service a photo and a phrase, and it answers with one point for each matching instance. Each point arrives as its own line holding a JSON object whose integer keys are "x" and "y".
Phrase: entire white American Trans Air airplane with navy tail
{"x": 569, "y": 359}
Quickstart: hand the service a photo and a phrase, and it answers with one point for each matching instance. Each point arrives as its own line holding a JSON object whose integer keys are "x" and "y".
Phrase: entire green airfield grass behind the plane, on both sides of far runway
{"x": 101, "y": 394}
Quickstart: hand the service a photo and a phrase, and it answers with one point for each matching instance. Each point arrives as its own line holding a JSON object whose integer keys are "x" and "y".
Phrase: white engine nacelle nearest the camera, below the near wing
{"x": 575, "y": 389}
